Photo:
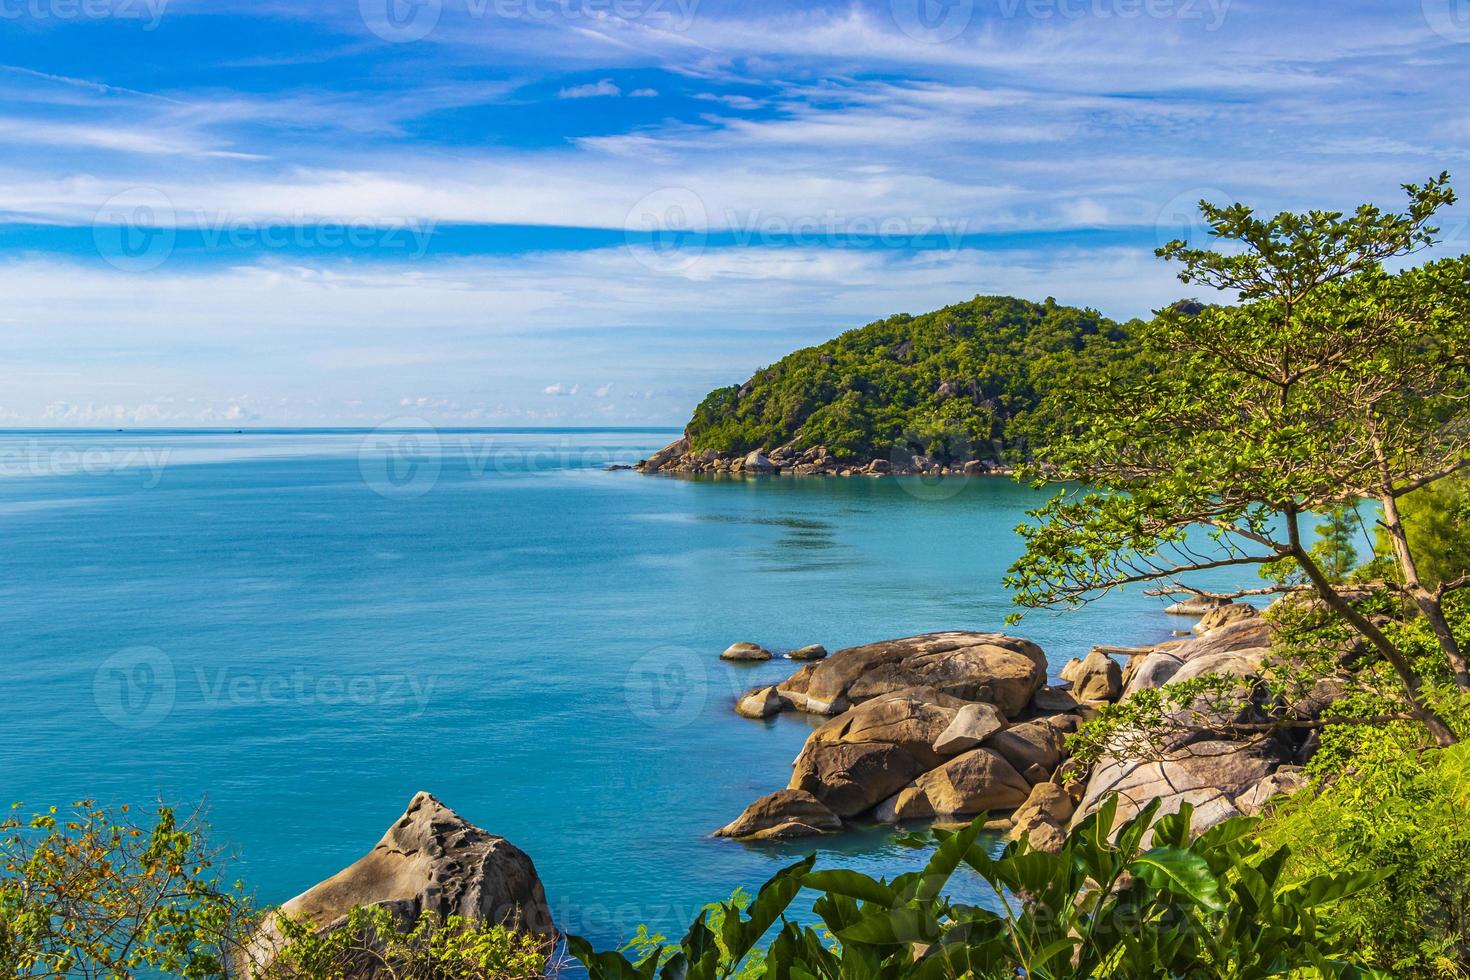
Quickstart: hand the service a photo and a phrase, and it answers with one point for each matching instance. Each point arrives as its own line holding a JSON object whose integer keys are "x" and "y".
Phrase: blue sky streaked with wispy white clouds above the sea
{"x": 593, "y": 212}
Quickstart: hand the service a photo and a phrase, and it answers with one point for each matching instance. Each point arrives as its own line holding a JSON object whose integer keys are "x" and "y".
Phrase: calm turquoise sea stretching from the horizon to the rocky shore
{"x": 306, "y": 628}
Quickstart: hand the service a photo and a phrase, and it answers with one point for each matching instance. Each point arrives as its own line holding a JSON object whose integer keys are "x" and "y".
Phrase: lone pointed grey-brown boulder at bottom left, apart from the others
{"x": 431, "y": 862}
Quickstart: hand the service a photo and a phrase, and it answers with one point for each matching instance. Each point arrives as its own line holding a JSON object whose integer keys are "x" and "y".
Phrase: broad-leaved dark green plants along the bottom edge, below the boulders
{"x": 1108, "y": 906}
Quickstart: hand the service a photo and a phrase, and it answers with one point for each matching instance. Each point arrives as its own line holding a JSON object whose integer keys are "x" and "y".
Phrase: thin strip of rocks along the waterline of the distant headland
{"x": 680, "y": 458}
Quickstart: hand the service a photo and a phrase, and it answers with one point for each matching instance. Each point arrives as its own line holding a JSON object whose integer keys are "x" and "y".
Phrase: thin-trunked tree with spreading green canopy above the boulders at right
{"x": 1331, "y": 381}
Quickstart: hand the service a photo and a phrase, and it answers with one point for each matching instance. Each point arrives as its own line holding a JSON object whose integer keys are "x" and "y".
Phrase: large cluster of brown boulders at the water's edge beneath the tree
{"x": 946, "y": 727}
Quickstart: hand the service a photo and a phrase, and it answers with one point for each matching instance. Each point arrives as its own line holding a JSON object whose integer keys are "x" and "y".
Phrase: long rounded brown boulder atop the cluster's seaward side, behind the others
{"x": 993, "y": 668}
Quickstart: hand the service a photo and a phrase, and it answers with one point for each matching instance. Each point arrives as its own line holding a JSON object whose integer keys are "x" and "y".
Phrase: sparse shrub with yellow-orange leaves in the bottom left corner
{"x": 93, "y": 894}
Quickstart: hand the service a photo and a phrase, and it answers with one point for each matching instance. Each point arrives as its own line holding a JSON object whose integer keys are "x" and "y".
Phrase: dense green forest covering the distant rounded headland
{"x": 962, "y": 383}
